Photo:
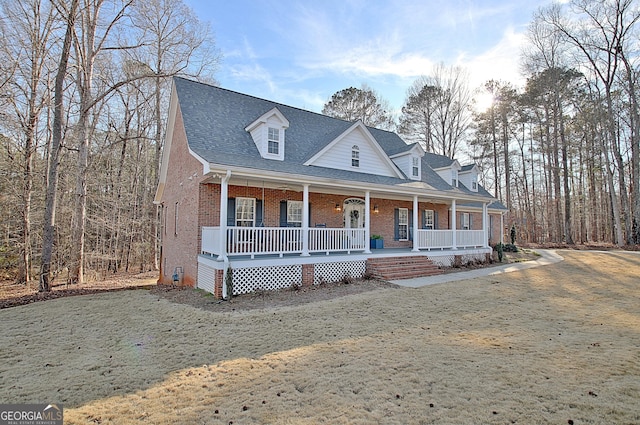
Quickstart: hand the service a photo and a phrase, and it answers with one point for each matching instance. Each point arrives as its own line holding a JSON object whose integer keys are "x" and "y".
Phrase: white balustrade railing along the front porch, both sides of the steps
{"x": 288, "y": 240}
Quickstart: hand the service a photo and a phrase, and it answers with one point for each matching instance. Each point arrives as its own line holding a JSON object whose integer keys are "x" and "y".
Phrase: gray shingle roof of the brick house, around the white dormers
{"x": 215, "y": 120}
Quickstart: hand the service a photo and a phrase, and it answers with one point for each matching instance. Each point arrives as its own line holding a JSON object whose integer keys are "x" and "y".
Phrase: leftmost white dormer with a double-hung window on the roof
{"x": 268, "y": 133}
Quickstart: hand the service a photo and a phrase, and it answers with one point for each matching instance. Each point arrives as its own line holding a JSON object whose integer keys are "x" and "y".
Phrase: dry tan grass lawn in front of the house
{"x": 556, "y": 344}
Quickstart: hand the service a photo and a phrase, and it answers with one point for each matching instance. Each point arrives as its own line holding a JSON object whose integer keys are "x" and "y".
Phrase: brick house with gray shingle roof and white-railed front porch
{"x": 264, "y": 196}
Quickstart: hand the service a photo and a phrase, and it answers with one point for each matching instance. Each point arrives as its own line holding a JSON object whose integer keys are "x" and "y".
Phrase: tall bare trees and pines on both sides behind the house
{"x": 84, "y": 87}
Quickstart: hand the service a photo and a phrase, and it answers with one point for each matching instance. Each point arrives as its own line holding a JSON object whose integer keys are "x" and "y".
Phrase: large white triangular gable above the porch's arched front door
{"x": 355, "y": 149}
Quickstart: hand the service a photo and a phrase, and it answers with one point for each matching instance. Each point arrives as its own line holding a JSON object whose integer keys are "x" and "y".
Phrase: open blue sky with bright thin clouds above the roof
{"x": 301, "y": 52}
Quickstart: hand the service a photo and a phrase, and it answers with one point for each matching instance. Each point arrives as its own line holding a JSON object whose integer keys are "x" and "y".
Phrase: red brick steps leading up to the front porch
{"x": 395, "y": 268}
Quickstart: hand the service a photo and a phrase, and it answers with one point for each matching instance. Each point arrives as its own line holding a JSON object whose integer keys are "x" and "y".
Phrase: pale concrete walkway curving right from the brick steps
{"x": 547, "y": 257}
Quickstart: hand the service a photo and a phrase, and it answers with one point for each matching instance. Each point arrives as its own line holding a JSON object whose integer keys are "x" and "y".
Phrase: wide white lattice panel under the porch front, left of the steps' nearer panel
{"x": 252, "y": 279}
